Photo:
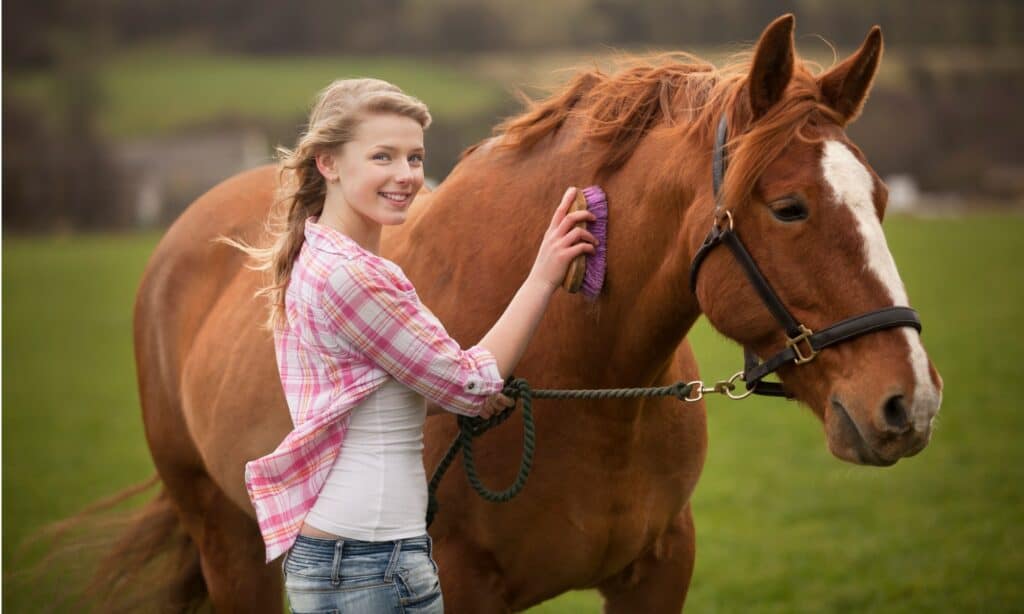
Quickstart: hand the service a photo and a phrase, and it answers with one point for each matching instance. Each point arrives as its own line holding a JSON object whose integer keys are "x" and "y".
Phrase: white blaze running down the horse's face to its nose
{"x": 852, "y": 188}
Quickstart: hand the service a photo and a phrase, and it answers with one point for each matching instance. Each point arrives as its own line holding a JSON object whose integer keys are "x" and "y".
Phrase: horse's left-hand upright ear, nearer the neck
{"x": 773, "y": 66}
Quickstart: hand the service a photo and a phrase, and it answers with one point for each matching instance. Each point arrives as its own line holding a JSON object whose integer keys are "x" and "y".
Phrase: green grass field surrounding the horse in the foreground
{"x": 782, "y": 525}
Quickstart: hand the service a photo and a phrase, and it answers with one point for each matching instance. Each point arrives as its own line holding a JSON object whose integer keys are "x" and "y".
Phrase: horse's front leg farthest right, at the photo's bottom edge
{"x": 660, "y": 579}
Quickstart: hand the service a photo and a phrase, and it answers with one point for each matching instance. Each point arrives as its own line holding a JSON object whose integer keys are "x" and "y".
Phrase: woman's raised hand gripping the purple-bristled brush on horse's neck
{"x": 563, "y": 242}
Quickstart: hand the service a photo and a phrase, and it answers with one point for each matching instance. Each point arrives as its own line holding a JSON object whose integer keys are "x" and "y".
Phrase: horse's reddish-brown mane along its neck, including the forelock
{"x": 678, "y": 92}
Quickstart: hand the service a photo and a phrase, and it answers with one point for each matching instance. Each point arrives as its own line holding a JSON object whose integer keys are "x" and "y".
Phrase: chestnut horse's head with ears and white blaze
{"x": 807, "y": 206}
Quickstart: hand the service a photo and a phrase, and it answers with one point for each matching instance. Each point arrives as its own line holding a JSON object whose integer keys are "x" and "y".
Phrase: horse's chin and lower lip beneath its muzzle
{"x": 848, "y": 443}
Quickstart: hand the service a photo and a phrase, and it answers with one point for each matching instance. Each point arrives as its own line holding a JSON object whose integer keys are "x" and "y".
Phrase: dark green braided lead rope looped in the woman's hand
{"x": 518, "y": 389}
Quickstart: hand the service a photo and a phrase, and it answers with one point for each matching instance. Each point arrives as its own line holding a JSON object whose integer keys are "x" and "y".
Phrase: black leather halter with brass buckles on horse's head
{"x": 802, "y": 344}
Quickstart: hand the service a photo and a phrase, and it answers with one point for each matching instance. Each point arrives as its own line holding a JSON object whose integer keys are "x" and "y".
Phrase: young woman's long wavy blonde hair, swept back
{"x": 338, "y": 111}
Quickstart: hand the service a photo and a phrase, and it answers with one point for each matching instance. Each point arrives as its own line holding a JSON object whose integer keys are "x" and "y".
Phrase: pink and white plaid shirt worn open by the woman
{"x": 354, "y": 321}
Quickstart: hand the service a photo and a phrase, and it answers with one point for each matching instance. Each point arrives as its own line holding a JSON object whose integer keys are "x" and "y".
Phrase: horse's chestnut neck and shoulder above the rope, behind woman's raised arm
{"x": 474, "y": 244}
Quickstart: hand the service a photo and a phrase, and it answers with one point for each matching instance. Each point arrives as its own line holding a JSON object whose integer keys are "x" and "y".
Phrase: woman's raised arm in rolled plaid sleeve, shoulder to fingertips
{"x": 394, "y": 330}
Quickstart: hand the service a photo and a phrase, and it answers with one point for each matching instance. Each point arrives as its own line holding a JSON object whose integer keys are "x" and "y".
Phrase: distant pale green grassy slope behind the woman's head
{"x": 157, "y": 91}
